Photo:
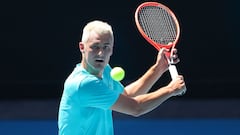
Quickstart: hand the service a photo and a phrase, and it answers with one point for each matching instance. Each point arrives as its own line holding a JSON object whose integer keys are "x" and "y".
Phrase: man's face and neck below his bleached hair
{"x": 96, "y": 52}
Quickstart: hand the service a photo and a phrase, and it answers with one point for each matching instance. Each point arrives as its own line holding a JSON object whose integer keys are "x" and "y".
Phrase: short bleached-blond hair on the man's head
{"x": 97, "y": 26}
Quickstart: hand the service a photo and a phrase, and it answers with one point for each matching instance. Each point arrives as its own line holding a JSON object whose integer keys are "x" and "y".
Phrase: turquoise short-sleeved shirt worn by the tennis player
{"x": 86, "y": 101}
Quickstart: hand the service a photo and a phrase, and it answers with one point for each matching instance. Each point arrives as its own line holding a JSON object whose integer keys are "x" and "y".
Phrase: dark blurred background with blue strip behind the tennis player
{"x": 39, "y": 49}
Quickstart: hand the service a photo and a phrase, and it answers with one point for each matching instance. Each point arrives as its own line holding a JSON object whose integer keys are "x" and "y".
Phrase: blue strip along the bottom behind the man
{"x": 132, "y": 127}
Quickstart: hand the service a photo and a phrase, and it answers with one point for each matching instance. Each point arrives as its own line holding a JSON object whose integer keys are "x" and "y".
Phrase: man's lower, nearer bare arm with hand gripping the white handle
{"x": 144, "y": 103}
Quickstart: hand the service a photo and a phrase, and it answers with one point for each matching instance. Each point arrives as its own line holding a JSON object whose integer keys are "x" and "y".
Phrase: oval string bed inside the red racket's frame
{"x": 158, "y": 24}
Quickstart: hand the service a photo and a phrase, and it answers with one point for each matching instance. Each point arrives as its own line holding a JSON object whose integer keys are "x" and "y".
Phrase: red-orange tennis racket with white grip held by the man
{"x": 160, "y": 27}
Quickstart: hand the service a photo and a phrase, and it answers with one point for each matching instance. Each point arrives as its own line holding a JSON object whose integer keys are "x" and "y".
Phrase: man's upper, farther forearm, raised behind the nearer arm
{"x": 144, "y": 83}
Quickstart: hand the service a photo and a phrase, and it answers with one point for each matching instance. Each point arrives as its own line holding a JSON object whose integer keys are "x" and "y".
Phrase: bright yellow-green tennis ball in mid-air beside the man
{"x": 117, "y": 73}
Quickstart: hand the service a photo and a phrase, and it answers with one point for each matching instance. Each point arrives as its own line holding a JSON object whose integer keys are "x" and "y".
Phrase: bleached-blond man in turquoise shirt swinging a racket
{"x": 90, "y": 94}
